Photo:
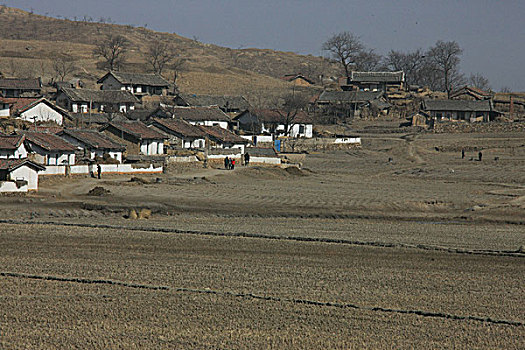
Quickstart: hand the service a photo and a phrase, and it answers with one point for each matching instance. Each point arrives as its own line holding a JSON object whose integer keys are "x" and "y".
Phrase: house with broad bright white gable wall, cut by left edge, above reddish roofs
{"x": 35, "y": 110}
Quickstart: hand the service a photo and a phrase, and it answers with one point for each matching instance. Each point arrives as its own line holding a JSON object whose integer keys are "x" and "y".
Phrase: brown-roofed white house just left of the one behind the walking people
{"x": 182, "y": 133}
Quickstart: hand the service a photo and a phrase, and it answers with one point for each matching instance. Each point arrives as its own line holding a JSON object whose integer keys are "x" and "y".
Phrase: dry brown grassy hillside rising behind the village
{"x": 33, "y": 42}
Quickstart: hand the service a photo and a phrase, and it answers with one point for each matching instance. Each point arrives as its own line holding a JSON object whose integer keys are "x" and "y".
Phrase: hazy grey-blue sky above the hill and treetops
{"x": 491, "y": 33}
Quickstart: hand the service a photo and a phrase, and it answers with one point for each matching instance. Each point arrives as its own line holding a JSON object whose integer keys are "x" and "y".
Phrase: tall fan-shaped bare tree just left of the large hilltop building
{"x": 344, "y": 47}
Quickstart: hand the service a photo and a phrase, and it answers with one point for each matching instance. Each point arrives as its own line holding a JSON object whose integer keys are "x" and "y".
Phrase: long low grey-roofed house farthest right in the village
{"x": 460, "y": 110}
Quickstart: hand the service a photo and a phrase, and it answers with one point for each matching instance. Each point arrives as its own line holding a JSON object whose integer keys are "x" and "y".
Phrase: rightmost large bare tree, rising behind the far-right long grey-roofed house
{"x": 445, "y": 56}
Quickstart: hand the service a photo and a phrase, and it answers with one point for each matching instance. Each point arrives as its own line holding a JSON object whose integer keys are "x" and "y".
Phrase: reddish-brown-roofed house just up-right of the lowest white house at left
{"x": 49, "y": 149}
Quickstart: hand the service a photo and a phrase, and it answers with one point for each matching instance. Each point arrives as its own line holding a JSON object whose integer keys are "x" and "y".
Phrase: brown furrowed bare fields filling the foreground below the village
{"x": 350, "y": 251}
